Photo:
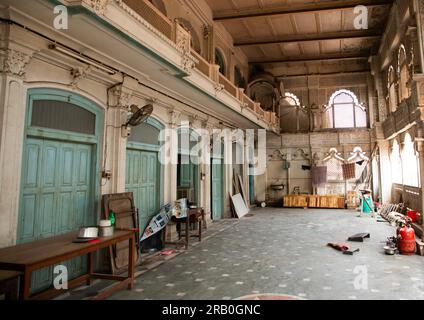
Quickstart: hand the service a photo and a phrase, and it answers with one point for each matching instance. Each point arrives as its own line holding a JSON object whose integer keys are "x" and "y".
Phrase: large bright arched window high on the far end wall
{"x": 345, "y": 111}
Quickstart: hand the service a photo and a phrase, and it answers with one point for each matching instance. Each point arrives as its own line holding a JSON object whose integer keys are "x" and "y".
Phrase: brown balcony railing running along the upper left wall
{"x": 169, "y": 28}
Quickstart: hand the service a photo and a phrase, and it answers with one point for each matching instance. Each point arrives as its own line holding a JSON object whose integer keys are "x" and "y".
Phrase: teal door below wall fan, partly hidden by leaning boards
{"x": 142, "y": 179}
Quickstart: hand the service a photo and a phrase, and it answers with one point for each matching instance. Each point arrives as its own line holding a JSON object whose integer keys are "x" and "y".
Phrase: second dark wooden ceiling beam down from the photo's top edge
{"x": 356, "y": 34}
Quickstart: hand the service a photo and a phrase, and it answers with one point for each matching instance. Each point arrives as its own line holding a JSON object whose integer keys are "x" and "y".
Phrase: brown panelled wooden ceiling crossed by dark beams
{"x": 302, "y": 36}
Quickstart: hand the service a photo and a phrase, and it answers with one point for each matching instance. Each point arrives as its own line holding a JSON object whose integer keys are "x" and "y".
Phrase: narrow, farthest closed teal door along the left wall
{"x": 217, "y": 180}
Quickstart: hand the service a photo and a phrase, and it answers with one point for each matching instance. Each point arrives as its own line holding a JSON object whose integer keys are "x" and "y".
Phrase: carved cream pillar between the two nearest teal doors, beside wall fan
{"x": 115, "y": 157}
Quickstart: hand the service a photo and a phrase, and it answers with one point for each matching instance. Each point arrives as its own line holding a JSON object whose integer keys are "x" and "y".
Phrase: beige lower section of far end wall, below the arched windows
{"x": 304, "y": 149}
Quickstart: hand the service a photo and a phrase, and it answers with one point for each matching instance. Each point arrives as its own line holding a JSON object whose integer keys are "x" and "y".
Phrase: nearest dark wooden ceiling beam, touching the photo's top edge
{"x": 293, "y": 8}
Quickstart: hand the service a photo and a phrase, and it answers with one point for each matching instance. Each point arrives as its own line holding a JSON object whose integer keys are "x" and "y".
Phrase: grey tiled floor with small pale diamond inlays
{"x": 283, "y": 251}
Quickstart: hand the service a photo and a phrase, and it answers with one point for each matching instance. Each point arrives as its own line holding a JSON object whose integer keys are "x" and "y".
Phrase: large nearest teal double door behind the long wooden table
{"x": 57, "y": 192}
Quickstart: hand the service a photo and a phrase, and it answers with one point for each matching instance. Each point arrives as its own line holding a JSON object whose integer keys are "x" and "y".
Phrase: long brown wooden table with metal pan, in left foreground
{"x": 28, "y": 257}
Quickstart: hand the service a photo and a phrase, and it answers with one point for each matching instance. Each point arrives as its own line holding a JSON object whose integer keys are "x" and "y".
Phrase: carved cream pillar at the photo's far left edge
{"x": 13, "y": 63}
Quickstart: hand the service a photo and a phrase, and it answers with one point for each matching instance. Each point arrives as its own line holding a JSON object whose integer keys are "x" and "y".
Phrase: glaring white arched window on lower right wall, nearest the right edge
{"x": 410, "y": 163}
